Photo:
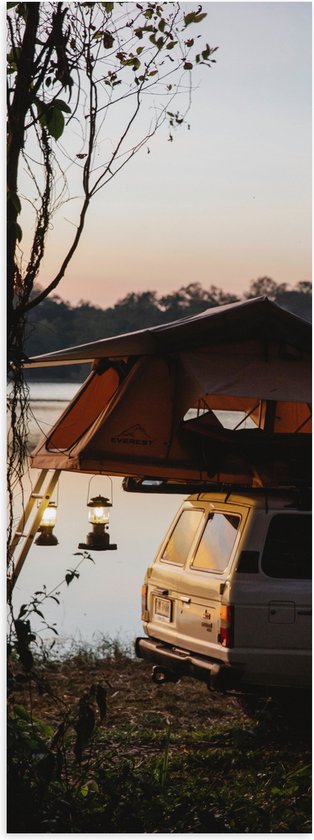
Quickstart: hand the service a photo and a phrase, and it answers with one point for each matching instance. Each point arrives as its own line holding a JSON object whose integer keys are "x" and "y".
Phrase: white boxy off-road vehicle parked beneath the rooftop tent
{"x": 228, "y": 597}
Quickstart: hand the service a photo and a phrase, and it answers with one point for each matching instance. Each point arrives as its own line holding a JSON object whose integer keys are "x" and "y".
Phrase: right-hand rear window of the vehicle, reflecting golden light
{"x": 215, "y": 547}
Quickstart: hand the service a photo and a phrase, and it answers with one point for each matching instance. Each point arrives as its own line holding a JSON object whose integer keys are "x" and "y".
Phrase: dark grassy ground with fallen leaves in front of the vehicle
{"x": 96, "y": 746}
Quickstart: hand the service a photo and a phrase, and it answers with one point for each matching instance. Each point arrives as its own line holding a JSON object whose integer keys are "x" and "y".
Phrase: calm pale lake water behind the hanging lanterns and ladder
{"x": 106, "y": 599}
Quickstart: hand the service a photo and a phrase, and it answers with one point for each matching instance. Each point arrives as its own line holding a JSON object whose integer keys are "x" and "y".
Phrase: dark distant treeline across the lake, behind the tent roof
{"x": 55, "y": 324}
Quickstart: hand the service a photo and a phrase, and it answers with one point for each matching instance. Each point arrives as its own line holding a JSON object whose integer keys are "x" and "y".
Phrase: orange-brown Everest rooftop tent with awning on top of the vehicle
{"x": 170, "y": 402}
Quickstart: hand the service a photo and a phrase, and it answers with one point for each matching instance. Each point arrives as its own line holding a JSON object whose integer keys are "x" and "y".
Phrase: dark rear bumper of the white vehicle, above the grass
{"x": 185, "y": 664}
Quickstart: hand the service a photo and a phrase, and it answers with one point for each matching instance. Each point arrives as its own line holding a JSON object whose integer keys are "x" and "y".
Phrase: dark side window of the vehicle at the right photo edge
{"x": 287, "y": 551}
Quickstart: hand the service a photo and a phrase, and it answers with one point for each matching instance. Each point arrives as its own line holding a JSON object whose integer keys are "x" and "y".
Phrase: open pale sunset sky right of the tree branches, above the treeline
{"x": 229, "y": 200}
